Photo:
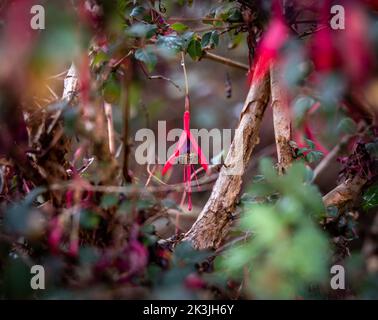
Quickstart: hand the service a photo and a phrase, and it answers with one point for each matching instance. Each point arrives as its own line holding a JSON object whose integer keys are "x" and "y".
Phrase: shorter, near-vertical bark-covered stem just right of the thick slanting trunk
{"x": 281, "y": 121}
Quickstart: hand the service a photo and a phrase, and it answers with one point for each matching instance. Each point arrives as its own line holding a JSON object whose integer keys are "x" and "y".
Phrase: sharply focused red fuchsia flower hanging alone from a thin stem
{"x": 185, "y": 144}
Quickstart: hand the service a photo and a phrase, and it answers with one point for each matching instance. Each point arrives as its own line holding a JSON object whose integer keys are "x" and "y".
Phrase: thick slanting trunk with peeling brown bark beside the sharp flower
{"x": 216, "y": 218}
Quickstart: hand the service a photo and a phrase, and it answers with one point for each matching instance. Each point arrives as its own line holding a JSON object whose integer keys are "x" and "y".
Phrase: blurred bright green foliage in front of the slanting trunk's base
{"x": 285, "y": 251}
